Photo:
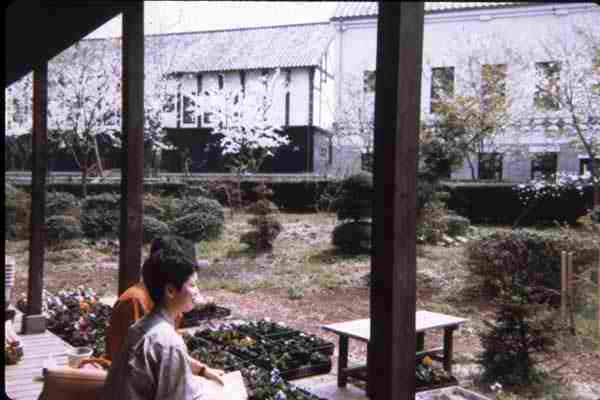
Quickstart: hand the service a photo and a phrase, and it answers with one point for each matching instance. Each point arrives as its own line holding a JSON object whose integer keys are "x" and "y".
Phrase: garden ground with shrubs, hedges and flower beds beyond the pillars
{"x": 304, "y": 268}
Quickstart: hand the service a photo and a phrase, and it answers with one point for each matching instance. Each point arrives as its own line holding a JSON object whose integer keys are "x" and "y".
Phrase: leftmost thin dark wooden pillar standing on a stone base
{"x": 34, "y": 321}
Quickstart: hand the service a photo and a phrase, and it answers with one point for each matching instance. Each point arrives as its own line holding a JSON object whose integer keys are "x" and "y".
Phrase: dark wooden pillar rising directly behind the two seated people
{"x": 132, "y": 165}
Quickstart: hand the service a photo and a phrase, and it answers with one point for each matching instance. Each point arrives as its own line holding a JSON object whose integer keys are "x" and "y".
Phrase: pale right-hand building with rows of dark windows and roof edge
{"x": 453, "y": 32}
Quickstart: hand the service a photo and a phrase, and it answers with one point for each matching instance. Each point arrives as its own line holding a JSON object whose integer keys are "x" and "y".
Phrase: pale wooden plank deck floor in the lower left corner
{"x": 23, "y": 381}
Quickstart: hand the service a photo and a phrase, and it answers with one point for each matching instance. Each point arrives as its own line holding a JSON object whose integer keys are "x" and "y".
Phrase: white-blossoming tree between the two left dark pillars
{"x": 85, "y": 101}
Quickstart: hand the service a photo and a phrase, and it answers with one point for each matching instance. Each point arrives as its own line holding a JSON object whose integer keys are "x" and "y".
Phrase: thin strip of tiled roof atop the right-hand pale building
{"x": 353, "y": 9}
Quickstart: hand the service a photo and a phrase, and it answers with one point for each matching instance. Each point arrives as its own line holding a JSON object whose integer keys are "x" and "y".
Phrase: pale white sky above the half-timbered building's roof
{"x": 182, "y": 16}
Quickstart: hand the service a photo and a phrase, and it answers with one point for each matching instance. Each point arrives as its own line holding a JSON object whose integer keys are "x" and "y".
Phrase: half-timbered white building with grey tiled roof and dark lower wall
{"x": 237, "y": 59}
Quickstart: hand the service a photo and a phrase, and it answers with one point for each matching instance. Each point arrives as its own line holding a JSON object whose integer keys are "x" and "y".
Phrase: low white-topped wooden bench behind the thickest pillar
{"x": 361, "y": 330}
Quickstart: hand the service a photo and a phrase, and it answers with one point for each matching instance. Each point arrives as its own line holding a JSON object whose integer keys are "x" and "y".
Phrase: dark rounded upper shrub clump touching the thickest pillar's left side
{"x": 356, "y": 198}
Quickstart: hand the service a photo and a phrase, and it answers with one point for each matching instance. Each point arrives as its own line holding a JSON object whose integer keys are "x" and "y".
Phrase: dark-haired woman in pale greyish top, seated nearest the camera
{"x": 153, "y": 362}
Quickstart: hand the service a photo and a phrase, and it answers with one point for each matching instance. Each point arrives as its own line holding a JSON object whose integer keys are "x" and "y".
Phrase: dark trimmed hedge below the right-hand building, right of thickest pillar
{"x": 500, "y": 203}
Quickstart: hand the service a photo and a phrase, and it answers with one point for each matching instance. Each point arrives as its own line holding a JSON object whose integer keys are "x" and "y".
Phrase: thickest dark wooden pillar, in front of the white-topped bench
{"x": 393, "y": 264}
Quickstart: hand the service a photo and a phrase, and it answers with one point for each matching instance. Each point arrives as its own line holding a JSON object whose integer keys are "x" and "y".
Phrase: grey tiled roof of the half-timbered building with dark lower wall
{"x": 249, "y": 48}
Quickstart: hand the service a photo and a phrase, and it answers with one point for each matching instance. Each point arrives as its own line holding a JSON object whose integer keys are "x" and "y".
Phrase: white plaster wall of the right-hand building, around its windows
{"x": 450, "y": 37}
